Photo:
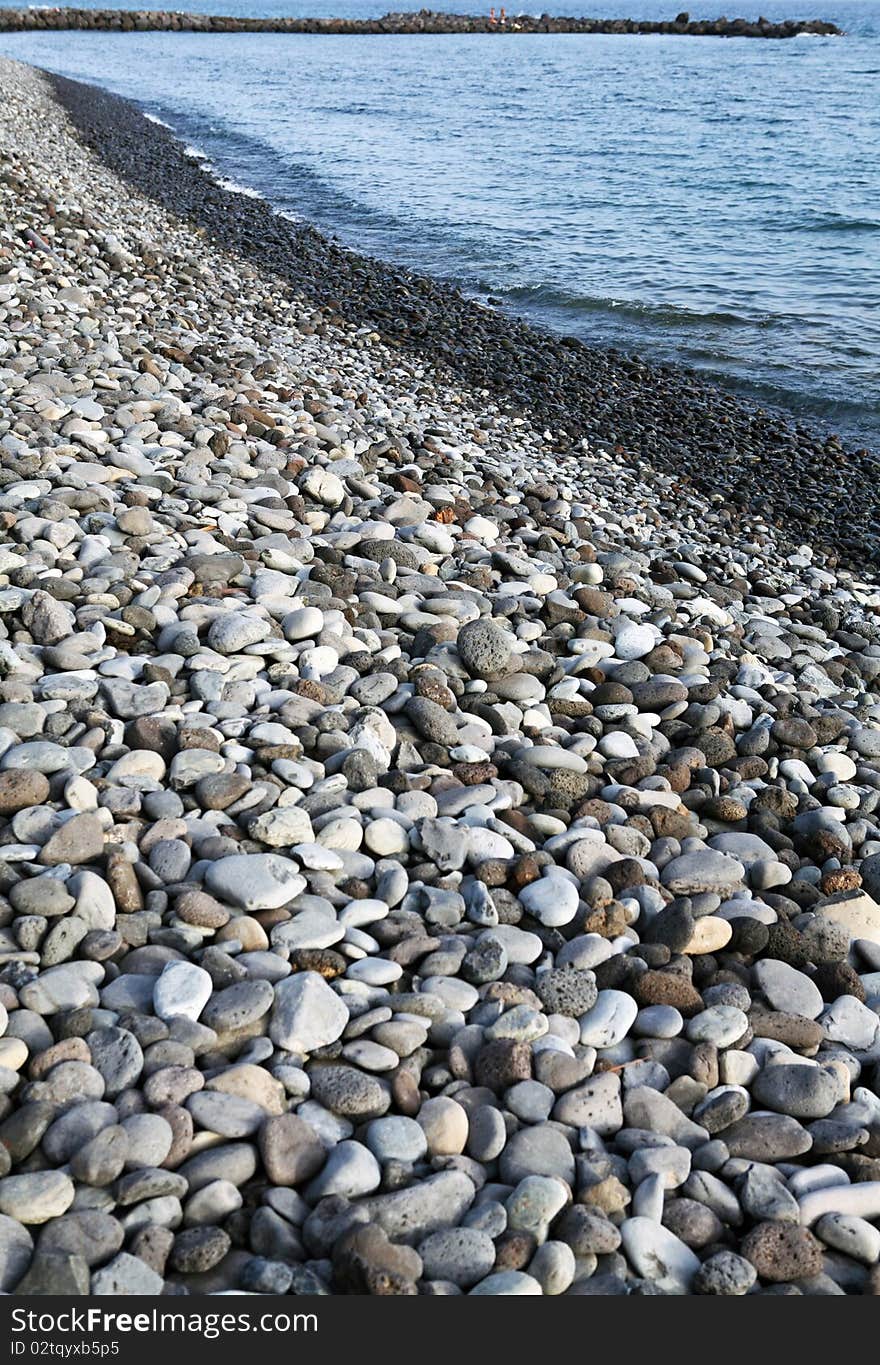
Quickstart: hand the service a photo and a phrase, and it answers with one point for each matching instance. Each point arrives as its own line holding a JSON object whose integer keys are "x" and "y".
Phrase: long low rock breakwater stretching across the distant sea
{"x": 421, "y": 23}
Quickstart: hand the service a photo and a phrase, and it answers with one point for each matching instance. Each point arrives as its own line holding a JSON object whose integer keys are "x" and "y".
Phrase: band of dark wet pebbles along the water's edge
{"x": 751, "y": 459}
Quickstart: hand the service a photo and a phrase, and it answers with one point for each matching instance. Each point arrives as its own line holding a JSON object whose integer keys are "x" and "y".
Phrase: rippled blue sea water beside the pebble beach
{"x": 706, "y": 201}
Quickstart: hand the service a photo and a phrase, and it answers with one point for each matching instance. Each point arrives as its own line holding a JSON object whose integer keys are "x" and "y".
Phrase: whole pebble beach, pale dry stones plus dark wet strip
{"x": 437, "y": 799}
